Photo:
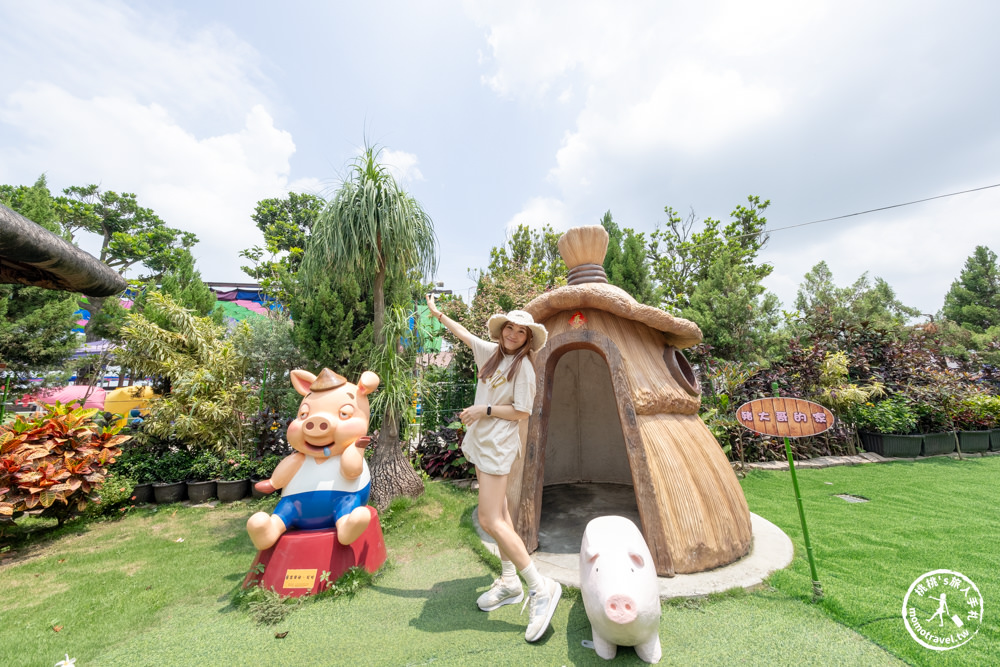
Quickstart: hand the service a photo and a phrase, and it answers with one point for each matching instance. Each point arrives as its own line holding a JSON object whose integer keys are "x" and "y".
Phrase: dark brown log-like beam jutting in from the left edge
{"x": 32, "y": 255}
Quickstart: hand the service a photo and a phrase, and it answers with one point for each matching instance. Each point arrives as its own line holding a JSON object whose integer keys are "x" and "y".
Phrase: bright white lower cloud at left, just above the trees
{"x": 205, "y": 185}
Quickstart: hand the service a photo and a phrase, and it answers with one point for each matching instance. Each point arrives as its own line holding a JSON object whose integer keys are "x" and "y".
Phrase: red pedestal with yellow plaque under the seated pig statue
{"x": 308, "y": 561}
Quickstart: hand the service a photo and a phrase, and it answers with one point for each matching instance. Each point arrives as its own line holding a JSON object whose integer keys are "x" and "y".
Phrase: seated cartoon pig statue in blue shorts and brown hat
{"x": 325, "y": 482}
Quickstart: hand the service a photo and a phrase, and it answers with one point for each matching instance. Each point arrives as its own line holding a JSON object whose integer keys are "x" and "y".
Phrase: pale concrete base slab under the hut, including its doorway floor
{"x": 567, "y": 508}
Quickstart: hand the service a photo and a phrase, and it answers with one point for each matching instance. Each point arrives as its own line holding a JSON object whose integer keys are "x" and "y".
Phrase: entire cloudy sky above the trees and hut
{"x": 494, "y": 114}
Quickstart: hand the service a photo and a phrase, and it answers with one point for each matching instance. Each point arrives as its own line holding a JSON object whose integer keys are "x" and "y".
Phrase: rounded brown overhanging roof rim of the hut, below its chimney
{"x": 681, "y": 333}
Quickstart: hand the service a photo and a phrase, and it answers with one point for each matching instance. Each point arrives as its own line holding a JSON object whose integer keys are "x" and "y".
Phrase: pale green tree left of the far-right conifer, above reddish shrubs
{"x": 863, "y": 301}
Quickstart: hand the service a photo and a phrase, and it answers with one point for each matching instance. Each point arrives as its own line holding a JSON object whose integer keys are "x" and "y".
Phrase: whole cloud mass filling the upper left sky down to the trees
{"x": 142, "y": 105}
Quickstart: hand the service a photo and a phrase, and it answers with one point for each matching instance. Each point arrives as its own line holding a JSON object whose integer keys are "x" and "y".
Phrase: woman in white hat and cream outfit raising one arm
{"x": 505, "y": 394}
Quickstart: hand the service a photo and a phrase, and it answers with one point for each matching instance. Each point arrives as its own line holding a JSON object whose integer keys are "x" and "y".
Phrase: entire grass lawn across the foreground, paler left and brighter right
{"x": 157, "y": 587}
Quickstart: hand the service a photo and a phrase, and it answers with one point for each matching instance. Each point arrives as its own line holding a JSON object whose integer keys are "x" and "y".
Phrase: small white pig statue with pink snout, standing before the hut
{"x": 619, "y": 587}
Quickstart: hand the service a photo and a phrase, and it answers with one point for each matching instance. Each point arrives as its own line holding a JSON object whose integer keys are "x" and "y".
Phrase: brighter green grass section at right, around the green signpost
{"x": 921, "y": 516}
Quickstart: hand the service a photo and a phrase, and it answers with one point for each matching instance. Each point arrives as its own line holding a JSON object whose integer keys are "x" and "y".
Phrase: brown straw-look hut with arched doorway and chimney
{"x": 617, "y": 402}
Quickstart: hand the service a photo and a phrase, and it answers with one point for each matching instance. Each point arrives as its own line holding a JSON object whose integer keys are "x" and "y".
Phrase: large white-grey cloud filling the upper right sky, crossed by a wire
{"x": 814, "y": 105}
